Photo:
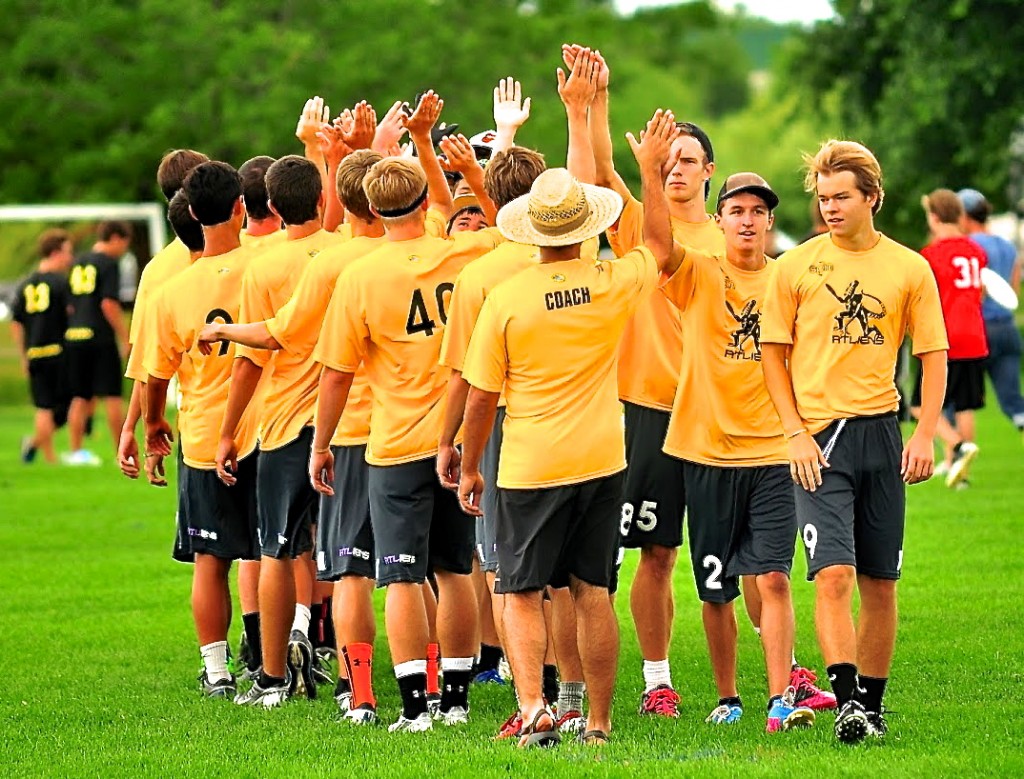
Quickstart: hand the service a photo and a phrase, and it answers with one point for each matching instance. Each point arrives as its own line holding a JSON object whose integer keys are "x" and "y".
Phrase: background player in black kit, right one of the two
{"x": 97, "y": 337}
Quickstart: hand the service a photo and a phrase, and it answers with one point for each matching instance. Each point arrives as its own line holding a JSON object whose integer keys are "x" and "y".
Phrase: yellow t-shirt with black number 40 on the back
{"x": 389, "y": 311}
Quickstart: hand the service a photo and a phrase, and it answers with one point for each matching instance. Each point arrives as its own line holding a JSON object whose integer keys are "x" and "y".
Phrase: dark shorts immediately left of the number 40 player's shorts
{"x": 345, "y": 536}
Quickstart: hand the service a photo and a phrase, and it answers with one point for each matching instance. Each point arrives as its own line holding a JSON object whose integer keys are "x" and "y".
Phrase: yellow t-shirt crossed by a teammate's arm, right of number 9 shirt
{"x": 291, "y": 396}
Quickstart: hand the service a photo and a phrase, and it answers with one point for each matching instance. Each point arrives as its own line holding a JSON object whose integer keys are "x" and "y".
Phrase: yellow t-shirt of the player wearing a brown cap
{"x": 722, "y": 414}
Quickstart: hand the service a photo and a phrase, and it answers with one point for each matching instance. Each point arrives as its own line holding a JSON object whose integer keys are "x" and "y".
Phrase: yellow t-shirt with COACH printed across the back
{"x": 550, "y": 336}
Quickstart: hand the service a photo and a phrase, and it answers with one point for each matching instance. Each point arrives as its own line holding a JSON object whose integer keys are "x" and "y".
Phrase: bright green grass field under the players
{"x": 100, "y": 658}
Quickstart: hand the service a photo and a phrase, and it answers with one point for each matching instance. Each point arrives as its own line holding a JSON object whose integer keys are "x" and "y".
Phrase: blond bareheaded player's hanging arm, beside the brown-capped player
{"x": 806, "y": 460}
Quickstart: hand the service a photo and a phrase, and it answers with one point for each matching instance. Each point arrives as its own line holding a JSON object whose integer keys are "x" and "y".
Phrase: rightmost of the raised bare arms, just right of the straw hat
{"x": 652, "y": 153}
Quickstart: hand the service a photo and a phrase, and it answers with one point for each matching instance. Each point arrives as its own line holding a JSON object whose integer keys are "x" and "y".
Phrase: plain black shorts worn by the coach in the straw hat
{"x": 547, "y": 536}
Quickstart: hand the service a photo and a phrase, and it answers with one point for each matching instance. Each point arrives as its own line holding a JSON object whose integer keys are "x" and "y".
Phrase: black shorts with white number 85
{"x": 655, "y": 500}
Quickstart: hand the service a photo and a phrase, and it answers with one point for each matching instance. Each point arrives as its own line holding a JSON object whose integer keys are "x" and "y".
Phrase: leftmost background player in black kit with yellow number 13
{"x": 39, "y": 323}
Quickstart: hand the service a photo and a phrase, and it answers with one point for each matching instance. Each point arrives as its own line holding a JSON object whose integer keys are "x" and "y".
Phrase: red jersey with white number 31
{"x": 957, "y": 264}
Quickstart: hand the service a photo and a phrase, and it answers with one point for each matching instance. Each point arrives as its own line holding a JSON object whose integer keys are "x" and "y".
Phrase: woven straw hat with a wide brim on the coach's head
{"x": 560, "y": 211}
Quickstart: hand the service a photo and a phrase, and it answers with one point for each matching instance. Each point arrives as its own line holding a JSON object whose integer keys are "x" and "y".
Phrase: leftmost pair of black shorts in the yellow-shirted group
{"x": 216, "y": 520}
